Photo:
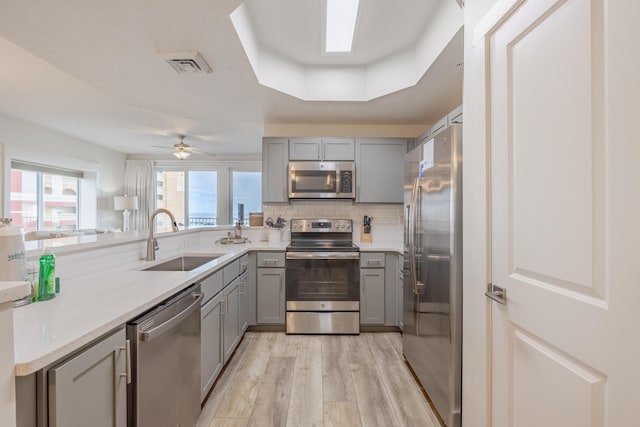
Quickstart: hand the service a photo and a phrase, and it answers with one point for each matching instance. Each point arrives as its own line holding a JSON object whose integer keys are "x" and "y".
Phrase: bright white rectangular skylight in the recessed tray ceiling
{"x": 341, "y": 25}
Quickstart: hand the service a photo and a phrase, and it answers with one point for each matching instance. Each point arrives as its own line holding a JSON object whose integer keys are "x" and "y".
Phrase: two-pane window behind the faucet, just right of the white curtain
{"x": 192, "y": 196}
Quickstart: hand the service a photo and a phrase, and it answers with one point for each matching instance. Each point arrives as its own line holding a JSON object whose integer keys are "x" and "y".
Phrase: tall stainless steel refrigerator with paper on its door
{"x": 432, "y": 334}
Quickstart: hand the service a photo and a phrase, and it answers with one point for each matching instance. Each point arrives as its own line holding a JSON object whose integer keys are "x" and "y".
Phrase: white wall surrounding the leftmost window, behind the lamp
{"x": 29, "y": 142}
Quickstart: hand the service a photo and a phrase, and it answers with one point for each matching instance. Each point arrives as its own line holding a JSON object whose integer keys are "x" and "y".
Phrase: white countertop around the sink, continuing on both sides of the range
{"x": 92, "y": 305}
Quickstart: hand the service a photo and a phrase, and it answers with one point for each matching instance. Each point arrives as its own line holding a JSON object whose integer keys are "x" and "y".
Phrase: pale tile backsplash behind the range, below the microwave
{"x": 387, "y": 224}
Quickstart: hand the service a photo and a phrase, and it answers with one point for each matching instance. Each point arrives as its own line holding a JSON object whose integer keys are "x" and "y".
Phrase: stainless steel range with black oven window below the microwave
{"x": 322, "y": 278}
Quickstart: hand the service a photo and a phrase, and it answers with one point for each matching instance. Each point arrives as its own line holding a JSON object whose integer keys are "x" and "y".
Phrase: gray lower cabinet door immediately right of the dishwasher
{"x": 212, "y": 360}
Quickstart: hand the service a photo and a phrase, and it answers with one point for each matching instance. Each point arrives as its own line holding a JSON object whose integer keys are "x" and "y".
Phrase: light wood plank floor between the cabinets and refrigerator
{"x": 276, "y": 379}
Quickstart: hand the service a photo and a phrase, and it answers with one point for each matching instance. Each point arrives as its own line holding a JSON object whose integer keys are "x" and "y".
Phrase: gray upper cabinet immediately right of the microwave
{"x": 380, "y": 170}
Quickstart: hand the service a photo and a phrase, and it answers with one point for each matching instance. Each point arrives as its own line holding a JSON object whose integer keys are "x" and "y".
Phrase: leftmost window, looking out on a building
{"x": 44, "y": 198}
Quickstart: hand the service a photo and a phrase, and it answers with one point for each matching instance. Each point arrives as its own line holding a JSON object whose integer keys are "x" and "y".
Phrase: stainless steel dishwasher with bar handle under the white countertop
{"x": 165, "y": 350}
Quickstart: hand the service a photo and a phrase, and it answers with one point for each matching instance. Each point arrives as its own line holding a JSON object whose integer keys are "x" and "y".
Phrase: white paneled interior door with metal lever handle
{"x": 565, "y": 186}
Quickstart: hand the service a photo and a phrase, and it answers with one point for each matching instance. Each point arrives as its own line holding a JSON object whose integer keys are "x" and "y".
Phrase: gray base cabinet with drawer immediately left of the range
{"x": 270, "y": 288}
